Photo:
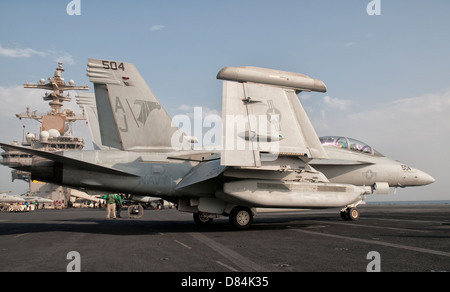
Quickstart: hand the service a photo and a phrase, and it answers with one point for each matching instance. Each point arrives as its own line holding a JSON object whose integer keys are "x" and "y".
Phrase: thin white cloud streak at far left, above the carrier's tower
{"x": 58, "y": 56}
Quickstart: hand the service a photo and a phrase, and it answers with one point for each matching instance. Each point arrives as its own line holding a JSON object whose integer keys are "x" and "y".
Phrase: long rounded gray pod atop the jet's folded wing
{"x": 296, "y": 81}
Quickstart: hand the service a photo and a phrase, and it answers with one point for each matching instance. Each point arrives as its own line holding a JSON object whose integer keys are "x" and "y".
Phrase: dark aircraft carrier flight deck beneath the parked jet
{"x": 386, "y": 238}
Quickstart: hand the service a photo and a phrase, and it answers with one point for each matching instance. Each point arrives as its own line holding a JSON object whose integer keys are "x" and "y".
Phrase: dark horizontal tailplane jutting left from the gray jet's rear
{"x": 67, "y": 161}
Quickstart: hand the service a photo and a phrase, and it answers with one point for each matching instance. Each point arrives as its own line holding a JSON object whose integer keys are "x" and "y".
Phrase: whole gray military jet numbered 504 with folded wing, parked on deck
{"x": 271, "y": 156}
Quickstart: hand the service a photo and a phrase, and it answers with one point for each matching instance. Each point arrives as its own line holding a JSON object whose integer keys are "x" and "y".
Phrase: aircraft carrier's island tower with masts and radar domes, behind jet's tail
{"x": 55, "y": 134}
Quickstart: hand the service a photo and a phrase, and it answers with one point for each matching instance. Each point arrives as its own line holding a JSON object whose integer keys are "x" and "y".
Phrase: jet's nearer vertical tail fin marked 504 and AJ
{"x": 130, "y": 116}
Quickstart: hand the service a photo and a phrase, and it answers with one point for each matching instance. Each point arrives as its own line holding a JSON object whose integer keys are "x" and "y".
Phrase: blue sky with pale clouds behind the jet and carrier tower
{"x": 388, "y": 76}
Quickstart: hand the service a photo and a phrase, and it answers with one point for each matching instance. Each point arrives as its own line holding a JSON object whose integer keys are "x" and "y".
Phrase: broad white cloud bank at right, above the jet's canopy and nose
{"x": 424, "y": 117}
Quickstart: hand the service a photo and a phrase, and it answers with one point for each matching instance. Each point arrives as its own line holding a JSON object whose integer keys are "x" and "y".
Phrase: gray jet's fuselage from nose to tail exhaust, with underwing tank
{"x": 167, "y": 175}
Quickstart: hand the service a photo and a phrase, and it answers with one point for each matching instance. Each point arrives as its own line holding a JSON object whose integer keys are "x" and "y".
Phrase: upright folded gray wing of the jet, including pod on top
{"x": 262, "y": 114}
